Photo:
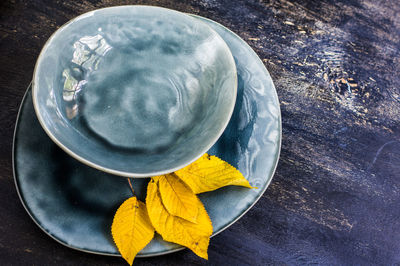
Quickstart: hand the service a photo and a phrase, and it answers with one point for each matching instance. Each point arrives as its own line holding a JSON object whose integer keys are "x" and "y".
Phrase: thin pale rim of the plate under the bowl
{"x": 172, "y": 250}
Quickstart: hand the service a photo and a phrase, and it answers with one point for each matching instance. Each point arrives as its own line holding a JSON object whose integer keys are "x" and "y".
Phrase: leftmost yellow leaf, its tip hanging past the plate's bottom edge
{"x": 131, "y": 228}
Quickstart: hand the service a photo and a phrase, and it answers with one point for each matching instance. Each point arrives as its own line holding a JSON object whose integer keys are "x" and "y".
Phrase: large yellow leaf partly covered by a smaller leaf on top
{"x": 195, "y": 236}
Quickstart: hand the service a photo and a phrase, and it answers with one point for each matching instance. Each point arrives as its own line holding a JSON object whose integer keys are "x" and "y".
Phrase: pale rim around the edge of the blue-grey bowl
{"x": 107, "y": 169}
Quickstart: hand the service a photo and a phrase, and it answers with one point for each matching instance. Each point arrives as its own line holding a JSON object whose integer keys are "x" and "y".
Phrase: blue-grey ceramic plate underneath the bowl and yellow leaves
{"x": 74, "y": 203}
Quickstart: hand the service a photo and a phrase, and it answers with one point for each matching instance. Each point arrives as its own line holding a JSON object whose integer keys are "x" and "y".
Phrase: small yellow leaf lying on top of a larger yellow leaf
{"x": 177, "y": 197}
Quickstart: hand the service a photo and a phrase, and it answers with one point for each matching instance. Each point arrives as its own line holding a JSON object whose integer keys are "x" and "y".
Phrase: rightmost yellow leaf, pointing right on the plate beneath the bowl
{"x": 210, "y": 173}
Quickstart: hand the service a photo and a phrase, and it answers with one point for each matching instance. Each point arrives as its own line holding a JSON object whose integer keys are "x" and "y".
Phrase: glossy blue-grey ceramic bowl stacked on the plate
{"x": 135, "y": 91}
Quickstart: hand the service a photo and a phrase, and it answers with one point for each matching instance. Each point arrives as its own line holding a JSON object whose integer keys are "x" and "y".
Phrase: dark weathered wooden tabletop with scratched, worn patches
{"x": 335, "y": 198}
